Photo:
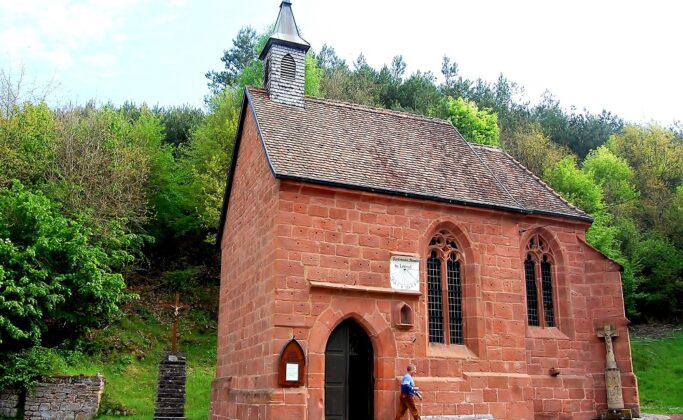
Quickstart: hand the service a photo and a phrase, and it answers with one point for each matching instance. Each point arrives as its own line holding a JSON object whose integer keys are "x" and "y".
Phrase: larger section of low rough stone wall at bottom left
{"x": 65, "y": 397}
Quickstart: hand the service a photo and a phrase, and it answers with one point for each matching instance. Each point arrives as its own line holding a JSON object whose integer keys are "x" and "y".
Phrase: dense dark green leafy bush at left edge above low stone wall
{"x": 56, "y": 277}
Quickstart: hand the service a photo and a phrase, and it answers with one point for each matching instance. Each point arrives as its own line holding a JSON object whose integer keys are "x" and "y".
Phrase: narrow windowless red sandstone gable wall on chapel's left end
{"x": 240, "y": 390}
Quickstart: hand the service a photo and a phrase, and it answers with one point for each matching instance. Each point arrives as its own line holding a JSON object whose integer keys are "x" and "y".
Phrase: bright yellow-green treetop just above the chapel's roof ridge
{"x": 476, "y": 125}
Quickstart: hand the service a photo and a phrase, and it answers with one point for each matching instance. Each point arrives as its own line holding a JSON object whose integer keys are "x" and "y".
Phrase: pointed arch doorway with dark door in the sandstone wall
{"x": 349, "y": 374}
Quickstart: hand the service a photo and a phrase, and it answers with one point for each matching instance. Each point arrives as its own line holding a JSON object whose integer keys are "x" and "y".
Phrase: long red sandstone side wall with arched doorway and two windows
{"x": 343, "y": 237}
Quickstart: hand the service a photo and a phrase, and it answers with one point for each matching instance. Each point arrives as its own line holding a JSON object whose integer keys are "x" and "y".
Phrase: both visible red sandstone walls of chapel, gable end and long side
{"x": 281, "y": 236}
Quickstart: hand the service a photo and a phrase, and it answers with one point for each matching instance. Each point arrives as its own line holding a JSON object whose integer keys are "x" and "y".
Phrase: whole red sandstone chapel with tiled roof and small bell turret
{"x": 355, "y": 241}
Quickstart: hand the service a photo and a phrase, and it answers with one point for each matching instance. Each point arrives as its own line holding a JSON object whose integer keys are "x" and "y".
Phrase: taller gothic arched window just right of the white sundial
{"x": 444, "y": 290}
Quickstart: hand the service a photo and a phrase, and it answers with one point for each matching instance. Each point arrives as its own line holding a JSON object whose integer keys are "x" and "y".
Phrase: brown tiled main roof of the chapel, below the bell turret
{"x": 392, "y": 152}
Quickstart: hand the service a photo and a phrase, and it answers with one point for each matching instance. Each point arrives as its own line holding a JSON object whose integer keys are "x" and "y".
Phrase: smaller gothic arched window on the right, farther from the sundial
{"x": 539, "y": 282}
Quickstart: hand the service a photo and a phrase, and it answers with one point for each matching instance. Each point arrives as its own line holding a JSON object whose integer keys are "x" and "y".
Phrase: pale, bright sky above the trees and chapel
{"x": 621, "y": 55}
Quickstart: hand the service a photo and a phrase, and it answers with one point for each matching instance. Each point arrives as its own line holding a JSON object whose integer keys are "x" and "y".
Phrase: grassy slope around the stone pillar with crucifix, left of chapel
{"x": 128, "y": 355}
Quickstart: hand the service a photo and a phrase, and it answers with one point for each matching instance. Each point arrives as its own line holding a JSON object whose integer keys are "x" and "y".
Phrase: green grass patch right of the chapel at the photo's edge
{"x": 658, "y": 364}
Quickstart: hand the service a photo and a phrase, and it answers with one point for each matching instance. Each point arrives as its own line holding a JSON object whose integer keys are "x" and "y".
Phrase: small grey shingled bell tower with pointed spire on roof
{"x": 284, "y": 60}
